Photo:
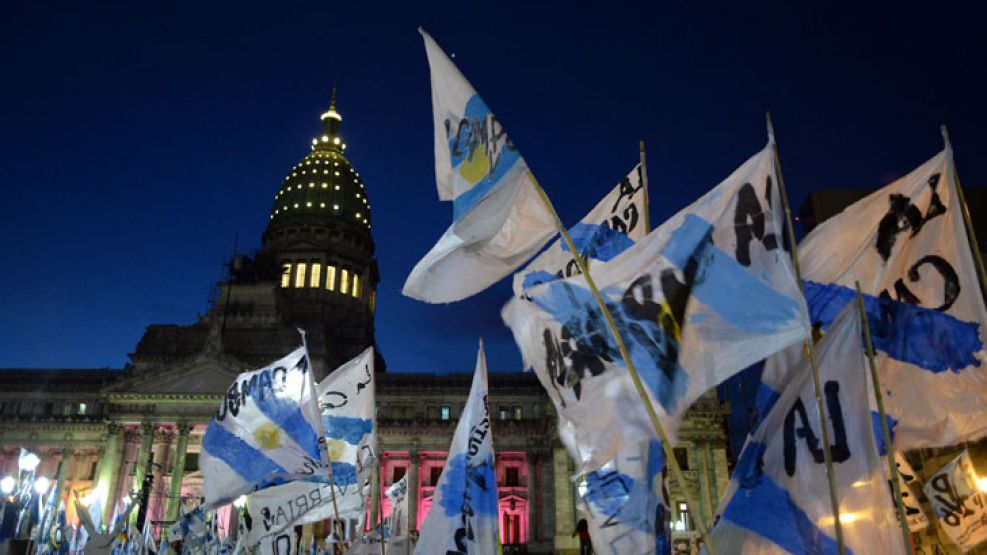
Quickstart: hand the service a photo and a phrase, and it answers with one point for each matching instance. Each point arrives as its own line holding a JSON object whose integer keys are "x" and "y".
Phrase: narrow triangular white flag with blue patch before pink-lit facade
{"x": 463, "y": 517}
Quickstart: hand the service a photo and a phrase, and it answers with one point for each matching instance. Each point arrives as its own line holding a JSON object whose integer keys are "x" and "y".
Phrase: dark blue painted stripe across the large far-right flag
{"x": 929, "y": 339}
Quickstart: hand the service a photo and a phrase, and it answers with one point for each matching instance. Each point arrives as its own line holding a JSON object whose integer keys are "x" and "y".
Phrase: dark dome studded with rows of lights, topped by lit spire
{"x": 323, "y": 185}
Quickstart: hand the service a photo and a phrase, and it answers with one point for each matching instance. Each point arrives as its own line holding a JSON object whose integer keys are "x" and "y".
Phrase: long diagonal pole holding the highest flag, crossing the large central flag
{"x": 631, "y": 369}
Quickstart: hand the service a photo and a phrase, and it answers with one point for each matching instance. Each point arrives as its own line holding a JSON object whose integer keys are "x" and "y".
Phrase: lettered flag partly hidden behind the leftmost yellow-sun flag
{"x": 347, "y": 401}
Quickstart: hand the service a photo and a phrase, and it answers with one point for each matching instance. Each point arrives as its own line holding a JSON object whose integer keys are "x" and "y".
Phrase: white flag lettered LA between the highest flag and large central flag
{"x": 613, "y": 225}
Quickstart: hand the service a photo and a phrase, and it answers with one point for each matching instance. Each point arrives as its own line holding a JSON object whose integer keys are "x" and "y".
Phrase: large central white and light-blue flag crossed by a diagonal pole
{"x": 708, "y": 293}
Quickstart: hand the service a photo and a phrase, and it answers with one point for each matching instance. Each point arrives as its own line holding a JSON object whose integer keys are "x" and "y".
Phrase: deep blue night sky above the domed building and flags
{"x": 138, "y": 139}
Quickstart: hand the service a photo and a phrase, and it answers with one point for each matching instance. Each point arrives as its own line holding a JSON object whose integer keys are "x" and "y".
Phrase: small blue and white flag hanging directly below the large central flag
{"x": 623, "y": 502}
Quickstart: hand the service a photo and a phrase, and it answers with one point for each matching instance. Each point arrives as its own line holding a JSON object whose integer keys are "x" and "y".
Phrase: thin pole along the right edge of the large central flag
{"x": 809, "y": 348}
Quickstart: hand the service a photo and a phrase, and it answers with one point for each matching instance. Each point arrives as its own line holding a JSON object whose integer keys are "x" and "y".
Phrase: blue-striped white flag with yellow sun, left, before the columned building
{"x": 268, "y": 430}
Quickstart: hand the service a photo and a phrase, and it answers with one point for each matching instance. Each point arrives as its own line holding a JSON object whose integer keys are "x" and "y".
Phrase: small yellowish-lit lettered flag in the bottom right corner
{"x": 958, "y": 503}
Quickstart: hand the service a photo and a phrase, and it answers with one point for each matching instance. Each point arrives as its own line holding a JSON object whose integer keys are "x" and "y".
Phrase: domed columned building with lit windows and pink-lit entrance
{"x": 100, "y": 432}
